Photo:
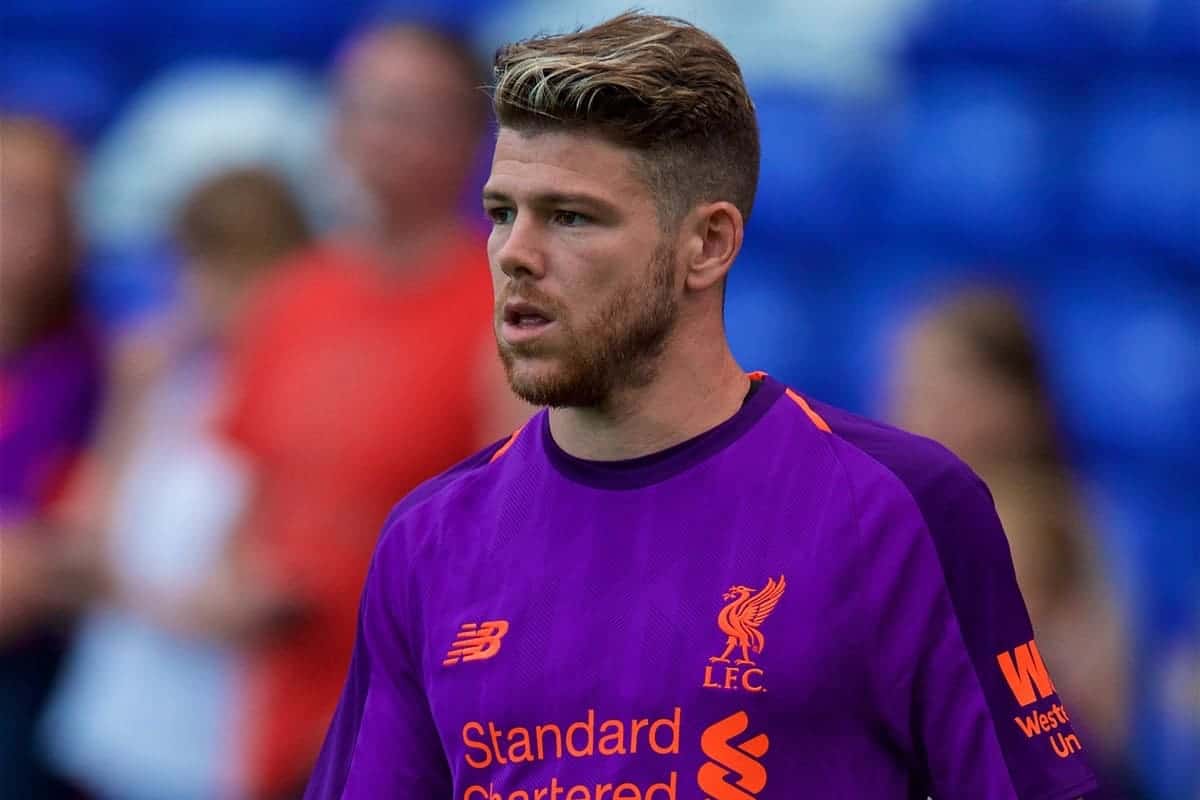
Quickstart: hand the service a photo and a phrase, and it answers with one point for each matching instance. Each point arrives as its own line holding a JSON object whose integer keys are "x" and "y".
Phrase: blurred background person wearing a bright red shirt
{"x": 363, "y": 370}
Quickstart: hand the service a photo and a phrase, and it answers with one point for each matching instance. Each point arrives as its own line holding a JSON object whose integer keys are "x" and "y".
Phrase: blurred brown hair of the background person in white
{"x": 241, "y": 221}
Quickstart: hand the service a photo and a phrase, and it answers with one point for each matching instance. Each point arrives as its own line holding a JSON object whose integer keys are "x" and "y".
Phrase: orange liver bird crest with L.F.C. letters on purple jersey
{"x": 740, "y": 621}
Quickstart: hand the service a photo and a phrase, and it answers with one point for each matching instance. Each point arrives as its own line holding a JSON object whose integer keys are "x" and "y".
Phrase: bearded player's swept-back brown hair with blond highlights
{"x": 657, "y": 86}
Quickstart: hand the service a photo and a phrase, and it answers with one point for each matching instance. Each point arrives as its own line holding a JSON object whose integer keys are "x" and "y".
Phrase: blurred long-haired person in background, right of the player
{"x": 970, "y": 375}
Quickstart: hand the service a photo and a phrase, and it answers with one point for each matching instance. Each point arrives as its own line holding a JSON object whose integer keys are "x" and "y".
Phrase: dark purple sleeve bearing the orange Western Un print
{"x": 985, "y": 717}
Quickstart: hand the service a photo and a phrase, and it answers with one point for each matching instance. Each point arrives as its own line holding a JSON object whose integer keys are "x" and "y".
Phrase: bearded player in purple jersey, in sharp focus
{"x": 680, "y": 581}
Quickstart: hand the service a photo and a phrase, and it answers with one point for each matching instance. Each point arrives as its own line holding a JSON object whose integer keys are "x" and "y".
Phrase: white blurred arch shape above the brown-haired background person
{"x": 194, "y": 123}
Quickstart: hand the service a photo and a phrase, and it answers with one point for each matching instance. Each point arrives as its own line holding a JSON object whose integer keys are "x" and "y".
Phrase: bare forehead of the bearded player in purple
{"x": 557, "y": 163}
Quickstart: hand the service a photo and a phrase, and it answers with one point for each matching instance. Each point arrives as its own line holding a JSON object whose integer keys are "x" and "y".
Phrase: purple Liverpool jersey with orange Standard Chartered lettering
{"x": 797, "y": 604}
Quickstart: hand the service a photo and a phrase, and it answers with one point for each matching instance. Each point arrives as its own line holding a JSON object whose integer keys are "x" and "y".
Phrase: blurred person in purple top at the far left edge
{"x": 51, "y": 387}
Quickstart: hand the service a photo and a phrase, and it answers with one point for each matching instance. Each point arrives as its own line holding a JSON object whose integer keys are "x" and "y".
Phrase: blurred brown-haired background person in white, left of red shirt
{"x": 145, "y": 709}
